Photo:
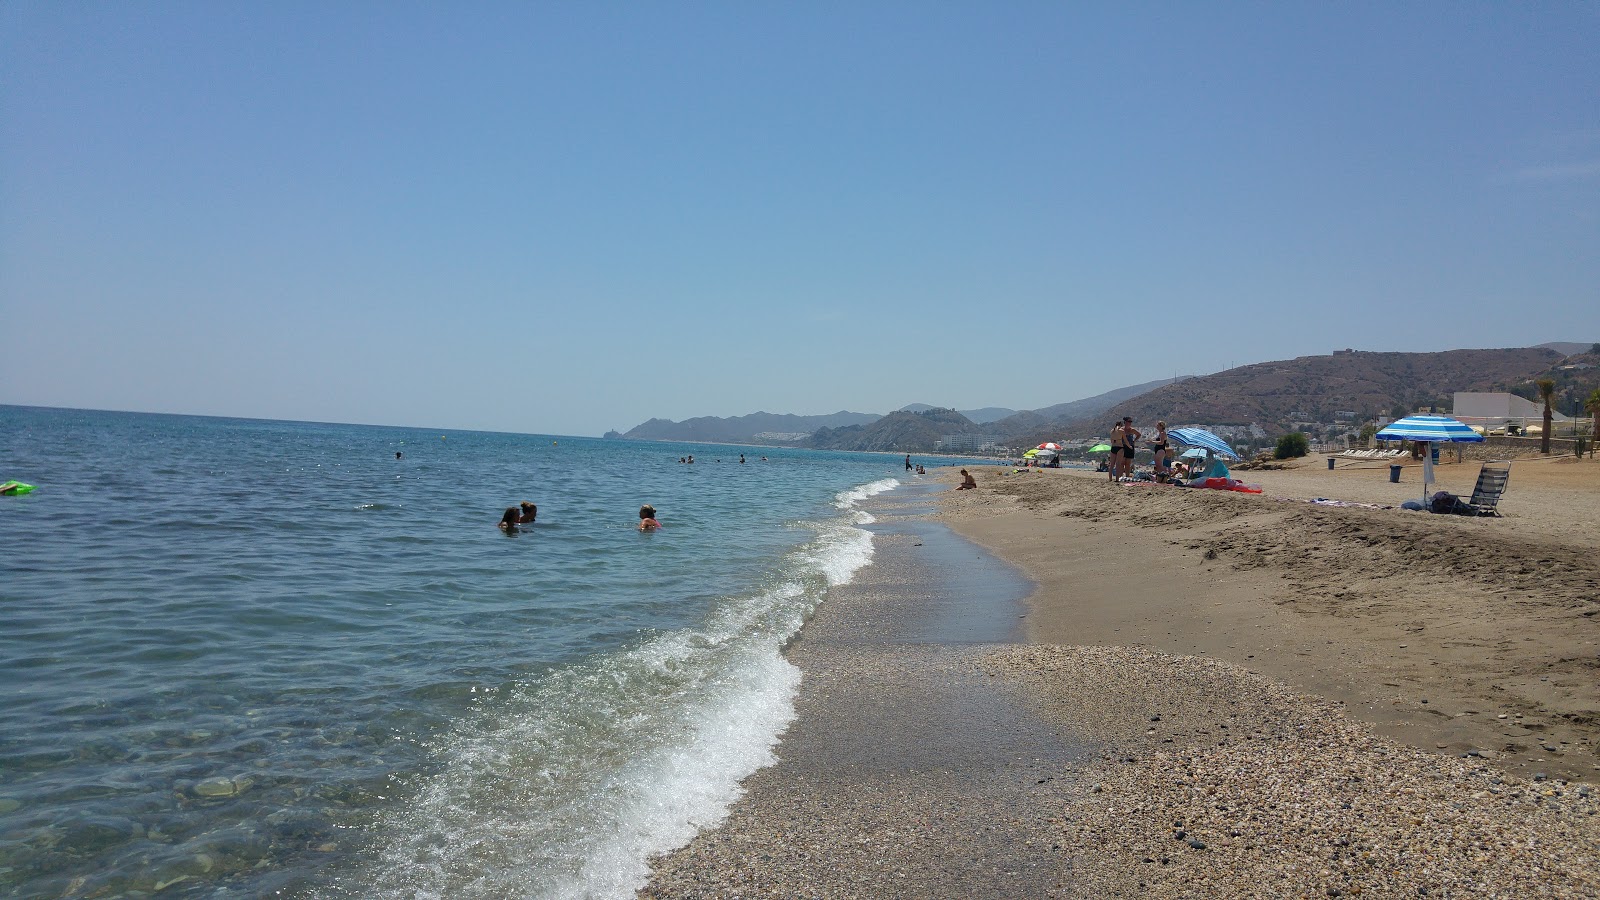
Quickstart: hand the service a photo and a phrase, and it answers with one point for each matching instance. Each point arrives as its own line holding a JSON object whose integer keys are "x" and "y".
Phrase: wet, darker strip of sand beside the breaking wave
{"x": 911, "y": 771}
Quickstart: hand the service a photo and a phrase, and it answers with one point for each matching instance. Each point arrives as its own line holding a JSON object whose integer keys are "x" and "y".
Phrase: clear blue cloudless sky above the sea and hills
{"x": 566, "y": 219}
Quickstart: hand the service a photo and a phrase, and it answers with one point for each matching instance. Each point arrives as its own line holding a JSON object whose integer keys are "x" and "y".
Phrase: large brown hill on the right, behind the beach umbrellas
{"x": 1318, "y": 388}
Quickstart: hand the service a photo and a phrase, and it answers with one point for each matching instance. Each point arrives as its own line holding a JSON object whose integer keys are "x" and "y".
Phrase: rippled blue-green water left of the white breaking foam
{"x": 271, "y": 641}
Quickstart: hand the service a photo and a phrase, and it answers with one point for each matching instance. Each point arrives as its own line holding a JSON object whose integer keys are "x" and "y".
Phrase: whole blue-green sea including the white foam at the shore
{"x": 268, "y": 659}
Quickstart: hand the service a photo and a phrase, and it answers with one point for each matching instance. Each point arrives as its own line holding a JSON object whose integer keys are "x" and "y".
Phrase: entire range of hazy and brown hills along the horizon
{"x": 1278, "y": 396}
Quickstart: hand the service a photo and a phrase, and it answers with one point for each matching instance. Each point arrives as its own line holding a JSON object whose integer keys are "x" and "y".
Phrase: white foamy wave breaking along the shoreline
{"x": 569, "y": 787}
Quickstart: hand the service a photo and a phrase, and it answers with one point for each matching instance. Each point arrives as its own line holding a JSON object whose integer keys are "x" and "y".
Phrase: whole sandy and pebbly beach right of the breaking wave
{"x": 1230, "y": 696}
